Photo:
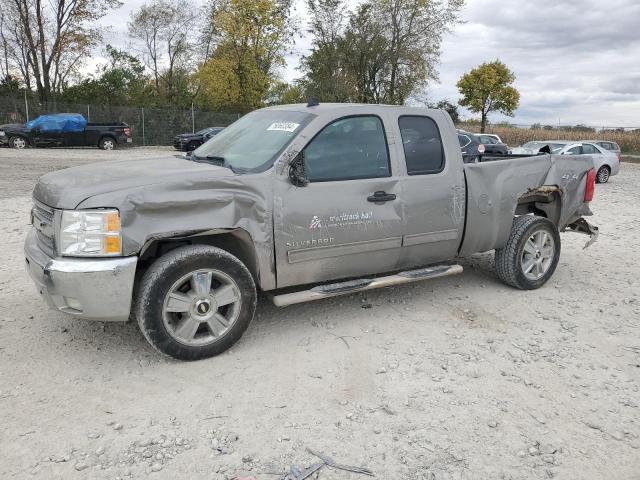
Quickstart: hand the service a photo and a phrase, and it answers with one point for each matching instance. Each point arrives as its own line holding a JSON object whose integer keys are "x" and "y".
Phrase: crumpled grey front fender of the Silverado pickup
{"x": 198, "y": 205}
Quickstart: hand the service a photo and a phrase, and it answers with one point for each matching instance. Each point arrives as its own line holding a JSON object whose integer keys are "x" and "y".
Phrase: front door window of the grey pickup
{"x": 348, "y": 149}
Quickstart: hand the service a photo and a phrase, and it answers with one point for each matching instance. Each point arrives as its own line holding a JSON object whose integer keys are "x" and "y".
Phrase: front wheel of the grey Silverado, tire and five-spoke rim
{"x": 179, "y": 315}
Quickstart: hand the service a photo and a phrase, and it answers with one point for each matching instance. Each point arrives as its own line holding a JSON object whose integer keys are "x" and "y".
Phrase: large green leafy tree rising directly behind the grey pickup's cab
{"x": 387, "y": 51}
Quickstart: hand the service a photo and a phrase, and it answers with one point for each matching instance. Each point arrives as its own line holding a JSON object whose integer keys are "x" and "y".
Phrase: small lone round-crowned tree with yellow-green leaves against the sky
{"x": 489, "y": 88}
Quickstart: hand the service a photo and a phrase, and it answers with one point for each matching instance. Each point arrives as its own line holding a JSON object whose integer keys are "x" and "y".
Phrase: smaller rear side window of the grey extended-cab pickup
{"x": 423, "y": 151}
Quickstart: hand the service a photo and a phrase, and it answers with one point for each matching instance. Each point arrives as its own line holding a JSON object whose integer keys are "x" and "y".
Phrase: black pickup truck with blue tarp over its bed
{"x": 65, "y": 130}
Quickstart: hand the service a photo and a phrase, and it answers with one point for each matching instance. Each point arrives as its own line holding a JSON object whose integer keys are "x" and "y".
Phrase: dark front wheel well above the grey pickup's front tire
{"x": 237, "y": 242}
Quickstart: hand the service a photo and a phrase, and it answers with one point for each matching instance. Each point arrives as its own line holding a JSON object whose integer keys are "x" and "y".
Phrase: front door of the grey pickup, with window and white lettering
{"x": 347, "y": 222}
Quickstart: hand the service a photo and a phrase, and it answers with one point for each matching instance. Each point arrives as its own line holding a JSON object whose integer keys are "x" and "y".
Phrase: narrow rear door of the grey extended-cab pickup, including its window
{"x": 433, "y": 190}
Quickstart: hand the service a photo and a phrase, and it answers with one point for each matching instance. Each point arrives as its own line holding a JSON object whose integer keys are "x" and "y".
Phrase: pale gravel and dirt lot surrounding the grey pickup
{"x": 458, "y": 378}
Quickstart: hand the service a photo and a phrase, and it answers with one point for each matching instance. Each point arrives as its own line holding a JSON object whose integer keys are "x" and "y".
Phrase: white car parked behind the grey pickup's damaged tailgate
{"x": 605, "y": 162}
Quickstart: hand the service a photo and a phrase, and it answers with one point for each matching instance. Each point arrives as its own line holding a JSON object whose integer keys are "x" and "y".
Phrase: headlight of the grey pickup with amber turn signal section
{"x": 90, "y": 233}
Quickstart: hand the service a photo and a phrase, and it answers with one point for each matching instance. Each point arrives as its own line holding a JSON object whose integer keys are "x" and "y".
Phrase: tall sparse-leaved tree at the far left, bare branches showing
{"x": 49, "y": 41}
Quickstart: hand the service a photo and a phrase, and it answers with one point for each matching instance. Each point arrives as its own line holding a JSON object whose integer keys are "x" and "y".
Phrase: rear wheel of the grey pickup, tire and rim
{"x": 531, "y": 254}
